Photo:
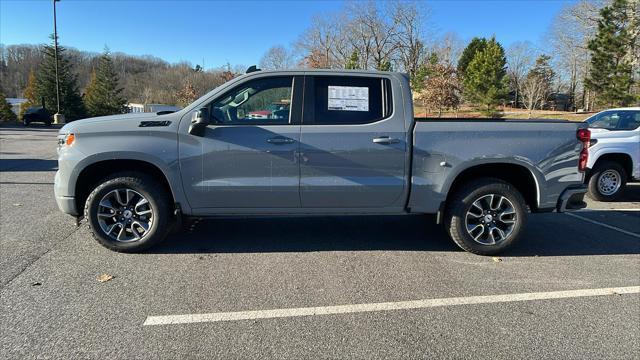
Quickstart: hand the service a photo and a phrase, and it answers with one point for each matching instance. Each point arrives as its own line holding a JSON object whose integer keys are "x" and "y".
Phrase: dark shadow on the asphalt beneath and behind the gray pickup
{"x": 547, "y": 235}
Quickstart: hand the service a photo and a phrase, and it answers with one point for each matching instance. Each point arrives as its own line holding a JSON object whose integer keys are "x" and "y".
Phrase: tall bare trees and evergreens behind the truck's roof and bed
{"x": 590, "y": 59}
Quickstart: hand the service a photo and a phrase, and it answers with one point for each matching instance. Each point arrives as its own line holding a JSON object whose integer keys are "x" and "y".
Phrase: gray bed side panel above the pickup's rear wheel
{"x": 444, "y": 149}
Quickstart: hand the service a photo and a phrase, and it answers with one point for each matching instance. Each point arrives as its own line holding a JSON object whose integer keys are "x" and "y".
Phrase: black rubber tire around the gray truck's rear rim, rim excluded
{"x": 464, "y": 202}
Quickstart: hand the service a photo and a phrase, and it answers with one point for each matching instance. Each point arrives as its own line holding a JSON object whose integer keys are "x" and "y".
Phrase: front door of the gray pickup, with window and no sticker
{"x": 247, "y": 157}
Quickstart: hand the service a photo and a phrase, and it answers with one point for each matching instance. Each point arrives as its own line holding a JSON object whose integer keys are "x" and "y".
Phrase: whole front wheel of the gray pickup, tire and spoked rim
{"x": 128, "y": 212}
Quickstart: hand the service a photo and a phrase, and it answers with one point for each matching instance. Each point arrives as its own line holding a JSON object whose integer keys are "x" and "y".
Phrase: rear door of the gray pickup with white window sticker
{"x": 352, "y": 143}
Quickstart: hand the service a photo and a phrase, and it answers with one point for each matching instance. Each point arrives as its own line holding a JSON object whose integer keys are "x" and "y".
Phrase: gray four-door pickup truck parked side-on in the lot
{"x": 315, "y": 142}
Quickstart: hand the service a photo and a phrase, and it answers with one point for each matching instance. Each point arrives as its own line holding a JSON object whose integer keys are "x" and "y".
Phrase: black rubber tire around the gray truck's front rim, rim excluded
{"x": 157, "y": 231}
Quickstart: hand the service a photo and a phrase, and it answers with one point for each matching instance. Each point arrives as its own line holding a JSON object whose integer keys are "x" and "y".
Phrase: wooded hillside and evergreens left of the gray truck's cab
{"x": 98, "y": 84}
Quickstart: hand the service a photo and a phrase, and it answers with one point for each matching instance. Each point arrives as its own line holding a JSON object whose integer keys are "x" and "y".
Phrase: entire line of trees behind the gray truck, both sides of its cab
{"x": 590, "y": 60}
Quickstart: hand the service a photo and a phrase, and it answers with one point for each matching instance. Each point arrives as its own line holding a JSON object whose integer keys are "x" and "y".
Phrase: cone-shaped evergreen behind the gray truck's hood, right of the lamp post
{"x": 103, "y": 96}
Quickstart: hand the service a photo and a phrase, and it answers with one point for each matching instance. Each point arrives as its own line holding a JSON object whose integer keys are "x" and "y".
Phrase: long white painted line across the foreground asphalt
{"x": 386, "y": 306}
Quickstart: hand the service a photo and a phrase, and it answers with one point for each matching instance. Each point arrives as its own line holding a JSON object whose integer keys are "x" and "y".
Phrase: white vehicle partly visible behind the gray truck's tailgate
{"x": 614, "y": 154}
